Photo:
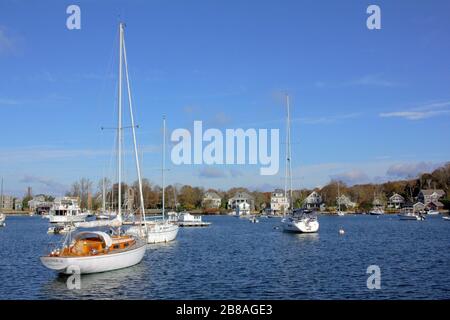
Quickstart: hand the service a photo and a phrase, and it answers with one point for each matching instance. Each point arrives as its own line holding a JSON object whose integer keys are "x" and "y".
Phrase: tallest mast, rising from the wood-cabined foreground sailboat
{"x": 119, "y": 126}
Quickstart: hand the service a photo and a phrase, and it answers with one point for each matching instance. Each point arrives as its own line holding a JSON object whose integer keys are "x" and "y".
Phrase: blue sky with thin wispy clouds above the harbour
{"x": 367, "y": 105}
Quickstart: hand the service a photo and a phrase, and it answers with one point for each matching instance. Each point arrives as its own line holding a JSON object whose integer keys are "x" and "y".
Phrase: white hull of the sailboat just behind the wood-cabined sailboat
{"x": 156, "y": 232}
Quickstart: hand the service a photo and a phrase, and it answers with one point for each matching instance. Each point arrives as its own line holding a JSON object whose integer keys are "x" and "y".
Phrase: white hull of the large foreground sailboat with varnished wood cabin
{"x": 94, "y": 264}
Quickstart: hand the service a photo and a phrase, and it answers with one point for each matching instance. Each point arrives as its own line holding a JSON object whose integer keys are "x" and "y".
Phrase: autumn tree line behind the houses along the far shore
{"x": 187, "y": 197}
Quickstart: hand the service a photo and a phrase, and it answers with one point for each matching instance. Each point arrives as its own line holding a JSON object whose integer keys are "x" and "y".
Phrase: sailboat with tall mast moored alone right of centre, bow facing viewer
{"x": 298, "y": 220}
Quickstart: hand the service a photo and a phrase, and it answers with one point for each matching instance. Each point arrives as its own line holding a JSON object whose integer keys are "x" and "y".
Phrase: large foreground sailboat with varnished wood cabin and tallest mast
{"x": 99, "y": 251}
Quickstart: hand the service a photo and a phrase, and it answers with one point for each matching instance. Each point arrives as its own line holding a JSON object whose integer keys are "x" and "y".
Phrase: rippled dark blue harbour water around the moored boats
{"x": 235, "y": 259}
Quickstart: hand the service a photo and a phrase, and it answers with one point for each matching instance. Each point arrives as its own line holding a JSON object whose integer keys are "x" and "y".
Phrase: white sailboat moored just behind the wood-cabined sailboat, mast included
{"x": 163, "y": 230}
